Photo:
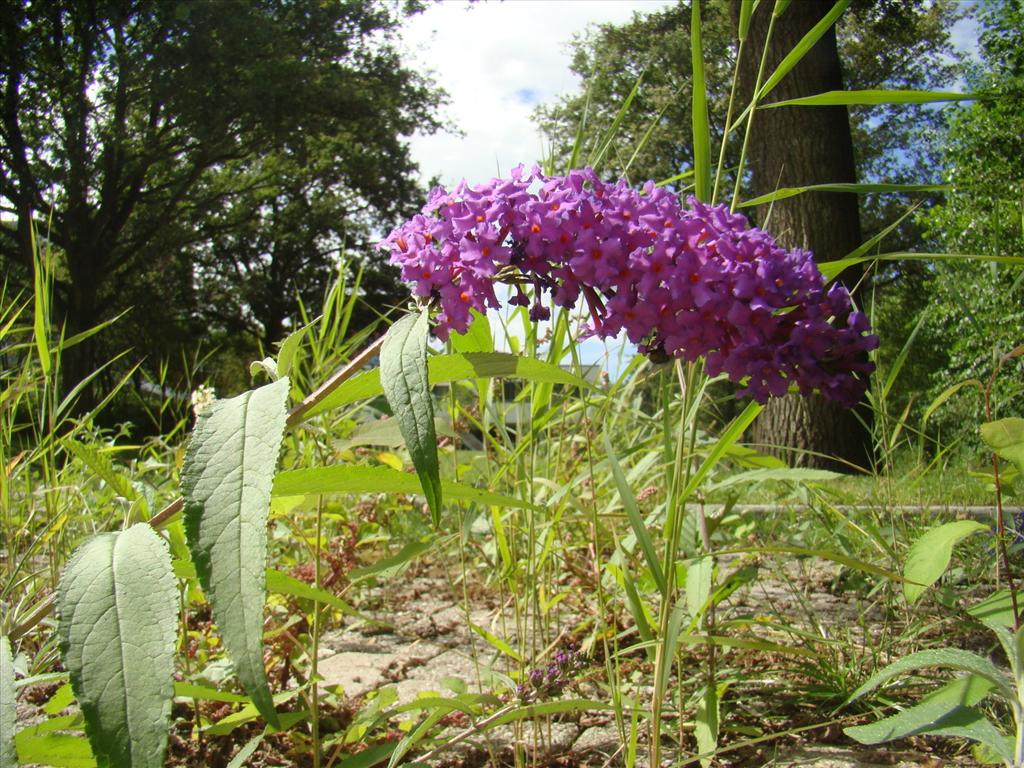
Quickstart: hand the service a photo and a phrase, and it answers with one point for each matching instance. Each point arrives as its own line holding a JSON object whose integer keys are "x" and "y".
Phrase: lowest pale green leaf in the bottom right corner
{"x": 948, "y": 712}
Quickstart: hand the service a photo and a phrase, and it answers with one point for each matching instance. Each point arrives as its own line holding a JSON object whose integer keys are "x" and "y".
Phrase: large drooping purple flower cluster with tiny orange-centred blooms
{"x": 681, "y": 282}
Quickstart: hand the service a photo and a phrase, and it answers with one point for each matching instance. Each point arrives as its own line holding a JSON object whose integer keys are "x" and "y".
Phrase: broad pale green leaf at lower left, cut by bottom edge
{"x": 118, "y": 622}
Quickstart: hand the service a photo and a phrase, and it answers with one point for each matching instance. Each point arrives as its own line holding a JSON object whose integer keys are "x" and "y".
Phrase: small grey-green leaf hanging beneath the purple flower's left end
{"x": 404, "y": 376}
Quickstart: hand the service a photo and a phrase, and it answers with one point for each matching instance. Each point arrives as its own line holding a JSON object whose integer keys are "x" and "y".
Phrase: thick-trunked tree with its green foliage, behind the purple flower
{"x": 883, "y": 45}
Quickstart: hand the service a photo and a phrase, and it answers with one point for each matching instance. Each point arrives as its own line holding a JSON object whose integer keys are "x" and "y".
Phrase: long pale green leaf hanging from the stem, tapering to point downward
{"x": 226, "y": 482}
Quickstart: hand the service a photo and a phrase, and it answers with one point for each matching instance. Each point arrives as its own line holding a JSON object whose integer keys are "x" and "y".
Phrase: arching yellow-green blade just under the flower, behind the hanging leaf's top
{"x": 447, "y": 368}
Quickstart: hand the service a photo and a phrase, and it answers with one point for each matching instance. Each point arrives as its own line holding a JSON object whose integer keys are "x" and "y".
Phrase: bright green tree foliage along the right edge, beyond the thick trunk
{"x": 975, "y": 310}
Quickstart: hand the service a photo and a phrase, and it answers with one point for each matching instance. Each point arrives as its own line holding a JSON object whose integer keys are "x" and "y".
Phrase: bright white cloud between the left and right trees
{"x": 498, "y": 61}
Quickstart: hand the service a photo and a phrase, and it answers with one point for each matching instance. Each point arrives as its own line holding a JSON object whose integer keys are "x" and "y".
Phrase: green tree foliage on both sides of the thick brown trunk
{"x": 882, "y": 46}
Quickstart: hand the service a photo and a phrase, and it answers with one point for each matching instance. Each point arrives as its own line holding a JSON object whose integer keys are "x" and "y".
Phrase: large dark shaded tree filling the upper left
{"x": 147, "y": 140}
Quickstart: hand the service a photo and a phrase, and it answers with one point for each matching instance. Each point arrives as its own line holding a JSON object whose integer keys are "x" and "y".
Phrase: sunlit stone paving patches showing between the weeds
{"x": 429, "y": 645}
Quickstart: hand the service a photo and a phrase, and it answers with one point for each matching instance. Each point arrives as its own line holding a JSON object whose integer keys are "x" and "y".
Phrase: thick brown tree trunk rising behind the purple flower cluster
{"x": 796, "y": 147}
